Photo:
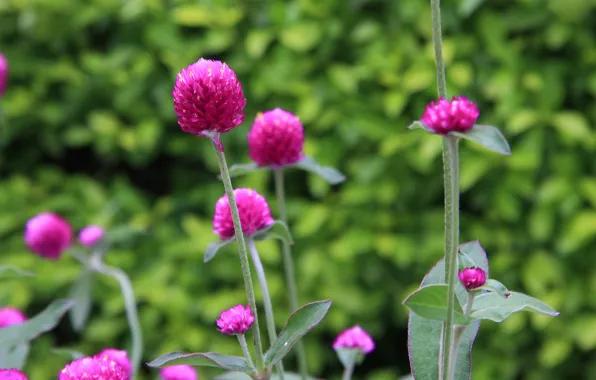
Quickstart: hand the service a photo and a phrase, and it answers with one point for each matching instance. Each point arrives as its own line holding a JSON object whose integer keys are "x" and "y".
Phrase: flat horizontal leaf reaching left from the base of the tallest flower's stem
{"x": 208, "y": 359}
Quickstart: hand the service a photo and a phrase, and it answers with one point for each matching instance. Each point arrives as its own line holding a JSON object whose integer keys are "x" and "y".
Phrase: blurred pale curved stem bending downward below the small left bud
{"x": 131, "y": 310}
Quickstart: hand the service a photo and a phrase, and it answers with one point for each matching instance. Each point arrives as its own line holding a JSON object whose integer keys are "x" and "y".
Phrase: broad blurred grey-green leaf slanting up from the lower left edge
{"x": 45, "y": 321}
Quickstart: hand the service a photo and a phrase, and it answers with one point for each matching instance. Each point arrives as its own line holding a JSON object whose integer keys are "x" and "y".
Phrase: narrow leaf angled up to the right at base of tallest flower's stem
{"x": 300, "y": 322}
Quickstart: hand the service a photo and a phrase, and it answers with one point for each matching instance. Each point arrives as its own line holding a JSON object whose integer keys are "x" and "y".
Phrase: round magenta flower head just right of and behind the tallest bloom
{"x": 276, "y": 138}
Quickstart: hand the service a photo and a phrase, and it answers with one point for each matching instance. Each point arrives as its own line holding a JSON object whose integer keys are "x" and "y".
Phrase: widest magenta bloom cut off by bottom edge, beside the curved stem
{"x": 100, "y": 368}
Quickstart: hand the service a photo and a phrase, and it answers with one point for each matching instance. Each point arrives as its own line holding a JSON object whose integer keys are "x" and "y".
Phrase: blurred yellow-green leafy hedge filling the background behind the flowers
{"x": 89, "y": 131}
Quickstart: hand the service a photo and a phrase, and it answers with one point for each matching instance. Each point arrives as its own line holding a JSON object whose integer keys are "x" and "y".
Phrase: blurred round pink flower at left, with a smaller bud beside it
{"x": 48, "y": 235}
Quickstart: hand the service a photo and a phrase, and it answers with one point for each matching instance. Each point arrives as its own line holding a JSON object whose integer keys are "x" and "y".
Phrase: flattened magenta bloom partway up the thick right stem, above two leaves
{"x": 446, "y": 116}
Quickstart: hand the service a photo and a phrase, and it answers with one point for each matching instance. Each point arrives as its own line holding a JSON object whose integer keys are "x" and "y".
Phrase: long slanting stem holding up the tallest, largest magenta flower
{"x": 250, "y": 293}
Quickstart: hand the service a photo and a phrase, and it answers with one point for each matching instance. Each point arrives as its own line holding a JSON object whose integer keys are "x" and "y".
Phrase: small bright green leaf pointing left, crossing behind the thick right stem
{"x": 430, "y": 302}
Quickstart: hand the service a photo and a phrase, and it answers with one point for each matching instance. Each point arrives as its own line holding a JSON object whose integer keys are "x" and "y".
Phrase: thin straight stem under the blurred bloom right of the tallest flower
{"x": 289, "y": 271}
